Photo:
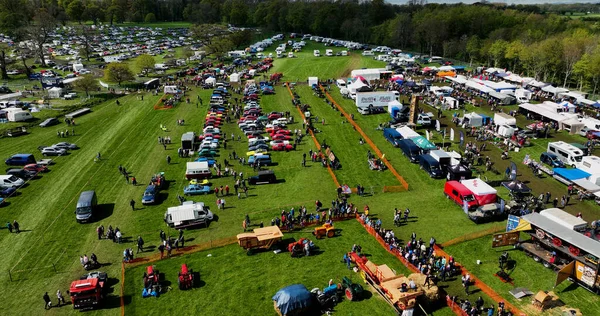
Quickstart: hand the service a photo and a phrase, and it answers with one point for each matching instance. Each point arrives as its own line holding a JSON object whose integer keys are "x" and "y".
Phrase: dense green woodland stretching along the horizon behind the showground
{"x": 539, "y": 41}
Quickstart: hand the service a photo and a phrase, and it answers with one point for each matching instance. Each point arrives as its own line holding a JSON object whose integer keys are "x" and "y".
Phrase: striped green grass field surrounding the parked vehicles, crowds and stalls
{"x": 45, "y": 256}
